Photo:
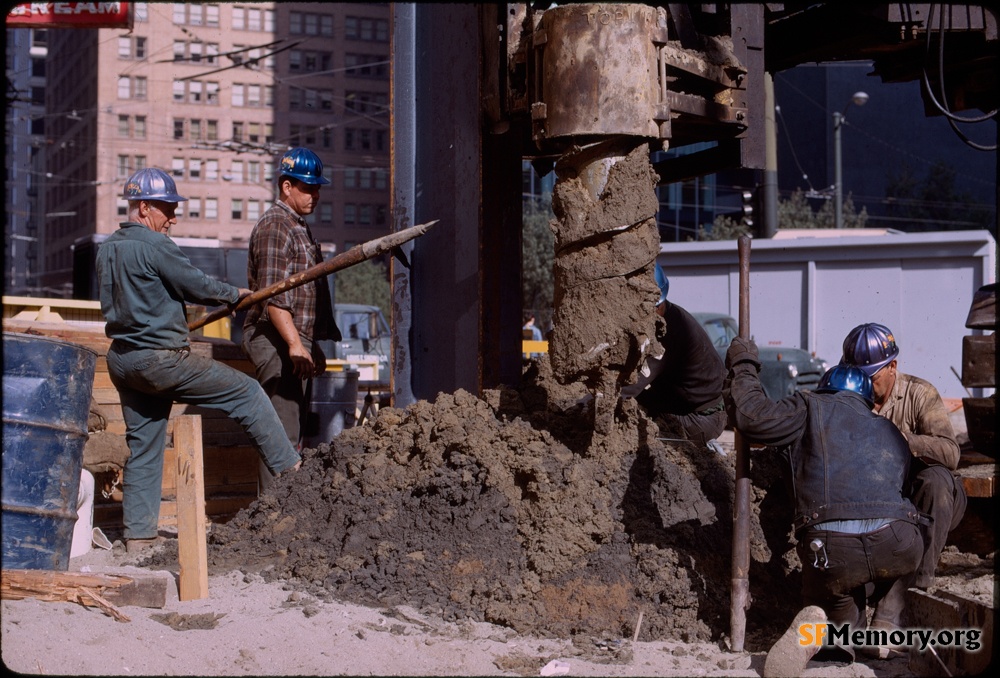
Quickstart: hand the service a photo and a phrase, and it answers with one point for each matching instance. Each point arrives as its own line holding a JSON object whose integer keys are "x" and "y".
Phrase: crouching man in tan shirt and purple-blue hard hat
{"x": 916, "y": 408}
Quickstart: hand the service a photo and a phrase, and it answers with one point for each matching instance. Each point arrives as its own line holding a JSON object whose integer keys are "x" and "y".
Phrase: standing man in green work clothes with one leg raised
{"x": 145, "y": 281}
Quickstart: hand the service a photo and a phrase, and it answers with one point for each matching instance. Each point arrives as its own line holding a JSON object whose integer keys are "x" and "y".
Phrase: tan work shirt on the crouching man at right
{"x": 916, "y": 408}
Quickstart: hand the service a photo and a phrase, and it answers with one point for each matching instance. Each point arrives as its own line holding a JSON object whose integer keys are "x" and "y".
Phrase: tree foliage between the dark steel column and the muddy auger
{"x": 537, "y": 254}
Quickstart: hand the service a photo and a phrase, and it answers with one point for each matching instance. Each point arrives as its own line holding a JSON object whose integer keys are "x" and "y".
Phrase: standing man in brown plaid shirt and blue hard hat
{"x": 281, "y": 334}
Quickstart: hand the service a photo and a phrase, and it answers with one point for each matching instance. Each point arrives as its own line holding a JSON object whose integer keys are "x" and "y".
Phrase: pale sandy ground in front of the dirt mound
{"x": 251, "y": 627}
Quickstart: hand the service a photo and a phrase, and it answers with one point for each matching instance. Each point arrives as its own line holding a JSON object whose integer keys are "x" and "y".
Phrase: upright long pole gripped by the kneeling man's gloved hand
{"x": 740, "y": 600}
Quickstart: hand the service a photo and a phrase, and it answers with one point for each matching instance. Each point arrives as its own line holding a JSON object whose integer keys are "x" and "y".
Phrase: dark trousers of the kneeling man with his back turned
{"x": 884, "y": 559}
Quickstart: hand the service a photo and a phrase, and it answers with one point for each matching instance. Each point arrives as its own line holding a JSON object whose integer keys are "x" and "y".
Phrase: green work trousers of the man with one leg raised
{"x": 149, "y": 382}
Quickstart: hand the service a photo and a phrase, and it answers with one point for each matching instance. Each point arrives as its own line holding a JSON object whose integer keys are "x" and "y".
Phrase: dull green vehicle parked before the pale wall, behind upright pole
{"x": 784, "y": 370}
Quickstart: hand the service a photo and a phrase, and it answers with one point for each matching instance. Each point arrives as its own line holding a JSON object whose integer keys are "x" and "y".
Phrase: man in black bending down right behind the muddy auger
{"x": 685, "y": 382}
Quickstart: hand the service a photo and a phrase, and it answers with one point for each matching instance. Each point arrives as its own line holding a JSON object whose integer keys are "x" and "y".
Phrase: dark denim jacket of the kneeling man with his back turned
{"x": 843, "y": 461}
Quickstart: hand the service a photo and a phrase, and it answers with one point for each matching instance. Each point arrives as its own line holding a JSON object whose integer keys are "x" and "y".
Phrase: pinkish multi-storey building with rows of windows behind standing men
{"x": 214, "y": 93}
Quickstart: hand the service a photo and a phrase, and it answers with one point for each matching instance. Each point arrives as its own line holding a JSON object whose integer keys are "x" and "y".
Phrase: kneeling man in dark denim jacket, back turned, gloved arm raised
{"x": 857, "y": 534}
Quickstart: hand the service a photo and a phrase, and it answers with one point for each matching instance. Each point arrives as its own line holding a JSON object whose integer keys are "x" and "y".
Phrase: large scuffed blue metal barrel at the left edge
{"x": 47, "y": 386}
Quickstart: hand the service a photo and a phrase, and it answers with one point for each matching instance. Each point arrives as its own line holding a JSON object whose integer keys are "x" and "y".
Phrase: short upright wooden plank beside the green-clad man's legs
{"x": 192, "y": 545}
